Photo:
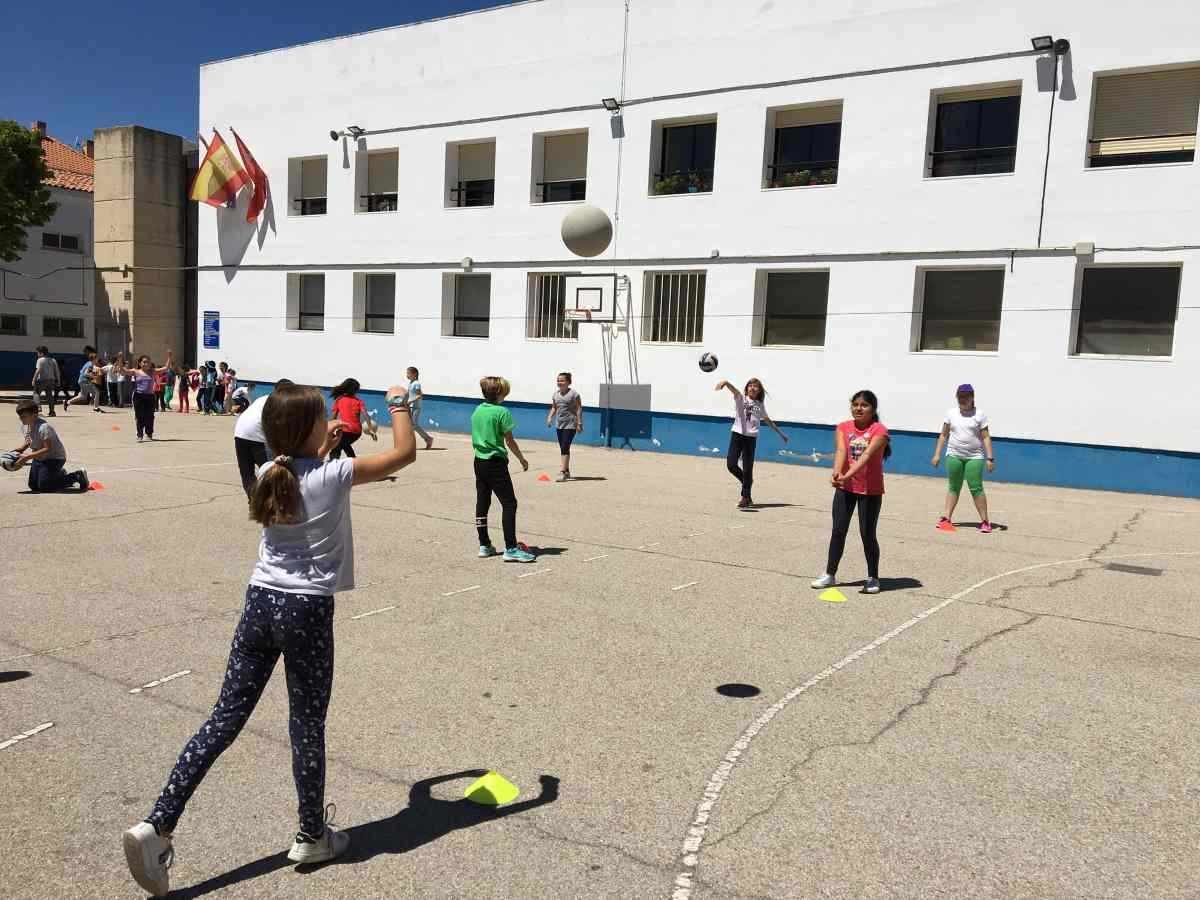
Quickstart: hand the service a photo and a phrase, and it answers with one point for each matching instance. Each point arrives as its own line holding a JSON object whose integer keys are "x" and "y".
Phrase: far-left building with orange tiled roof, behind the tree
{"x": 49, "y": 296}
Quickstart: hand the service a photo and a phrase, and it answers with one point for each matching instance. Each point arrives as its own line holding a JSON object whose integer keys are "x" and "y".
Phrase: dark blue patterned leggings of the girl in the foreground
{"x": 302, "y": 628}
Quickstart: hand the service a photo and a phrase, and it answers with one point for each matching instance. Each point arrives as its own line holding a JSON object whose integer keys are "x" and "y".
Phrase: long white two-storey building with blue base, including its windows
{"x": 886, "y": 196}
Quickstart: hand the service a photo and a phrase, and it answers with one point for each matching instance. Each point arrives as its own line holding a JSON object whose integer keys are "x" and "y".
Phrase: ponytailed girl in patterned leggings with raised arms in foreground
{"x": 307, "y": 555}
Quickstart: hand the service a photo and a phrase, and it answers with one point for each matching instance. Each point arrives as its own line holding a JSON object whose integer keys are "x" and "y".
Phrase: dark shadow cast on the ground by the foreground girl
{"x": 423, "y": 821}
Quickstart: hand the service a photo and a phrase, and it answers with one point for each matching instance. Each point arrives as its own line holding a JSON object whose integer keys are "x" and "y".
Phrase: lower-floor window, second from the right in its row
{"x": 961, "y": 309}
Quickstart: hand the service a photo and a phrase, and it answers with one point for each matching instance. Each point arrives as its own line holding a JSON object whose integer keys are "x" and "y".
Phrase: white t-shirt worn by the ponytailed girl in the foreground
{"x": 315, "y": 556}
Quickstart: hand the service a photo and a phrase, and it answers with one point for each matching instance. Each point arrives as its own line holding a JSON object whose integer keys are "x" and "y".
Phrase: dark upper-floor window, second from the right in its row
{"x": 975, "y": 134}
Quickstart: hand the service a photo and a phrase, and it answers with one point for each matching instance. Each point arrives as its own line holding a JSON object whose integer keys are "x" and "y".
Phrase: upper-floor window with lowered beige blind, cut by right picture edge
{"x": 1145, "y": 118}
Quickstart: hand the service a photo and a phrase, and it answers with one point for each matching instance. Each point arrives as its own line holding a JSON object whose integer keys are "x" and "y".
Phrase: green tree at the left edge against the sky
{"x": 25, "y": 199}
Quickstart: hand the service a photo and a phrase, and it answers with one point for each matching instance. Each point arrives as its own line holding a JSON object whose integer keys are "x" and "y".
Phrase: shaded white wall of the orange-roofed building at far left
{"x": 67, "y": 295}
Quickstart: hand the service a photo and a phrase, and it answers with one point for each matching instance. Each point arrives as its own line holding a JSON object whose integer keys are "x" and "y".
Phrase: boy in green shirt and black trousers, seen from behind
{"x": 491, "y": 433}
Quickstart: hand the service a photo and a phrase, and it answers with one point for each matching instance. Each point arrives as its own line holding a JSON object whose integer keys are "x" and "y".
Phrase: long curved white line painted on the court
{"x": 698, "y": 831}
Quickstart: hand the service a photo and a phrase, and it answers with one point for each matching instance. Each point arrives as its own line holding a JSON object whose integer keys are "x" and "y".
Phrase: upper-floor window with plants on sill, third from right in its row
{"x": 806, "y": 147}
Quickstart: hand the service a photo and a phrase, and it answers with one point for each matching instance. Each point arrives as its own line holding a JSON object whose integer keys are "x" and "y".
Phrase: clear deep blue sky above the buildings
{"x": 81, "y": 67}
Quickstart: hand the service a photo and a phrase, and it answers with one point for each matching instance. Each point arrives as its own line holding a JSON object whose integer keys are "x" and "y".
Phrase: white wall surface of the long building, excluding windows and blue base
{"x": 555, "y": 55}
